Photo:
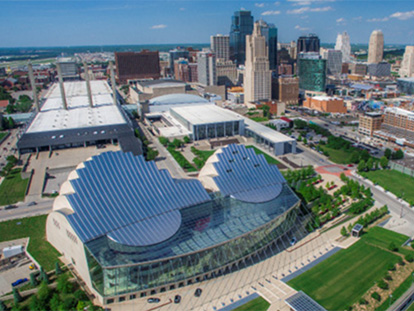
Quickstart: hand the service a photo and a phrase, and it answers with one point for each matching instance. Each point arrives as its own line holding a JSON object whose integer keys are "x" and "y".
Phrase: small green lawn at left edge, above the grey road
{"x": 13, "y": 188}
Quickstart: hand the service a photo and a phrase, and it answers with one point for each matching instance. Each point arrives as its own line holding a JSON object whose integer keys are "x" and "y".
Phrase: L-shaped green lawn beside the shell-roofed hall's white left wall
{"x": 35, "y": 228}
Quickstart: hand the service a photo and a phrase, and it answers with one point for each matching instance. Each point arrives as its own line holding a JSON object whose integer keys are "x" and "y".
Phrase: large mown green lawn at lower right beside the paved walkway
{"x": 349, "y": 273}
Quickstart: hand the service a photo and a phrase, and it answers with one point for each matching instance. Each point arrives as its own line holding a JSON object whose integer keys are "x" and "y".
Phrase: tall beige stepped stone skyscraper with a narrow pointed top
{"x": 257, "y": 76}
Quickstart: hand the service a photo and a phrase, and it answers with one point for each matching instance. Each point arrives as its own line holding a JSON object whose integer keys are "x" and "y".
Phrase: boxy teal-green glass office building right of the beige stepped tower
{"x": 311, "y": 72}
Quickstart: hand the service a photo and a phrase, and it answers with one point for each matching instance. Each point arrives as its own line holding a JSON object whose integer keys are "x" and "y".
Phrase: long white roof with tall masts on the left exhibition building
{"x": 53, "y": 116}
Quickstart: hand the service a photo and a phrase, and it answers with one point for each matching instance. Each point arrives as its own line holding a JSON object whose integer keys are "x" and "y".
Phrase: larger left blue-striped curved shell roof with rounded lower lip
{"x": 129, "y": 200}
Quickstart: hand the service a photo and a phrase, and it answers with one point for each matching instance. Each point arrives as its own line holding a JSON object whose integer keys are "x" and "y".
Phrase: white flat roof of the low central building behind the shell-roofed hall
{"x": 205, "y": 114}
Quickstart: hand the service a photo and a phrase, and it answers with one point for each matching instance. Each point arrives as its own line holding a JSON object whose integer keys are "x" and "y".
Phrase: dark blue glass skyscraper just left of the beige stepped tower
{"x": 241, "y": 26}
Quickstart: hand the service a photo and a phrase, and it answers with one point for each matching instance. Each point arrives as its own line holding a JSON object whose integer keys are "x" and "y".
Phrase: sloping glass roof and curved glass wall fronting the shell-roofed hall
{"x": 216, "y": 235}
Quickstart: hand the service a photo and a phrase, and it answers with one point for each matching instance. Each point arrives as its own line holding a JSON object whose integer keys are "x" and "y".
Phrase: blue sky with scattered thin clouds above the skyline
{"x": 101, "y": 22}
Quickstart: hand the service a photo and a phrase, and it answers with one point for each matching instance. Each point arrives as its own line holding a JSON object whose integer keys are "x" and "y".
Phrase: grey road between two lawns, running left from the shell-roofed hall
{"x": 23, "y": 210}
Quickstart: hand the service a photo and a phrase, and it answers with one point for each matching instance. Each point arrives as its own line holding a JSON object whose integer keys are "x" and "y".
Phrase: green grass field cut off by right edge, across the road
{"x": 396, "y": 182}
